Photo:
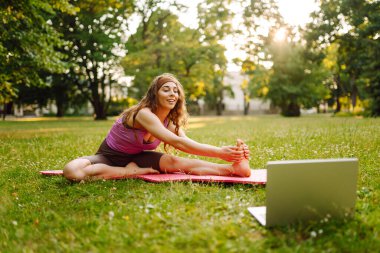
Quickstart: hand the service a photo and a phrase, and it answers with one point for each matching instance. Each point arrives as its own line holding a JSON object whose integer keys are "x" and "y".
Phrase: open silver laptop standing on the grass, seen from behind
{"x": 303, "y": 190}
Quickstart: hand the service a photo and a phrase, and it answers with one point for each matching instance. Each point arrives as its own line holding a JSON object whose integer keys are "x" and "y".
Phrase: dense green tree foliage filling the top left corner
{"x": 28, "y": 43}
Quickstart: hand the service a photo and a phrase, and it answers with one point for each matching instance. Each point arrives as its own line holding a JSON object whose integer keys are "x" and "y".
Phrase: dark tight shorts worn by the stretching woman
{"x": 106, "y": 155}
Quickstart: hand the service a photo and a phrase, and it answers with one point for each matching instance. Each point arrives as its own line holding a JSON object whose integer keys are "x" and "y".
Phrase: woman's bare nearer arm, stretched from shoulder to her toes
{"x": 153, "y": 125}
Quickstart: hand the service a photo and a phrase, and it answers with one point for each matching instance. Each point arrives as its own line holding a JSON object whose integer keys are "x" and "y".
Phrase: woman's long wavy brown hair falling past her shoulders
{"x": 178, "y": 115}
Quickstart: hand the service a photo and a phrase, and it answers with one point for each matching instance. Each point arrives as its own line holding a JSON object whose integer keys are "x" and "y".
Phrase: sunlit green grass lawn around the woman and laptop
{"x": 45, "y": 214}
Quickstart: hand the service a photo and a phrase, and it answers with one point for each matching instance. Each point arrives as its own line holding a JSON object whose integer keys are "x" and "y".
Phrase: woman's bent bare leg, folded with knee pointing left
{"x": 82, "y": 169}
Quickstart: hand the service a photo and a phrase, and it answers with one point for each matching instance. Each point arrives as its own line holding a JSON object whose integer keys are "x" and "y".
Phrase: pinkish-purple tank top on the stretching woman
{"x": 130, "y": 140}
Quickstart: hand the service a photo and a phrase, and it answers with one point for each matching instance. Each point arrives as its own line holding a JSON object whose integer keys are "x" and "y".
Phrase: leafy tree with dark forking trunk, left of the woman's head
{"x": 95, "y": 38}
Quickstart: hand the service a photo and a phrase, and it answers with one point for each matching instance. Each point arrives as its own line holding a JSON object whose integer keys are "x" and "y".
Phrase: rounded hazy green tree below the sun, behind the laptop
{"x": 297, "y": 79}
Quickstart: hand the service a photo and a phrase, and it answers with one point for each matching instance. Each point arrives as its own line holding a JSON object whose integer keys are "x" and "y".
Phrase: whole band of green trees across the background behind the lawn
{"x": 73, "y": 51}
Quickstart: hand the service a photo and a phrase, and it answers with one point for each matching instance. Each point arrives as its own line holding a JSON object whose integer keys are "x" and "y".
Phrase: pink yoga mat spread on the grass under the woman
{"x": 257, "y": 177}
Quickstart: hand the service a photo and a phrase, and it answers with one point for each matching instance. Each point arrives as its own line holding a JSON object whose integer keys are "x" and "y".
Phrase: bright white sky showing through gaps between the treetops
{"x": 295, "y": 13}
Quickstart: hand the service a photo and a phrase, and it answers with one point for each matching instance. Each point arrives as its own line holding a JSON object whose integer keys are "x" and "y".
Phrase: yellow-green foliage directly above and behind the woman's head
{"x": 162, "y": 44}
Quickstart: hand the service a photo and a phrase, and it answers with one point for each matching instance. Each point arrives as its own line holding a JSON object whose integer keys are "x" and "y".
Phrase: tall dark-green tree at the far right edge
{"x": 358, "y": 44}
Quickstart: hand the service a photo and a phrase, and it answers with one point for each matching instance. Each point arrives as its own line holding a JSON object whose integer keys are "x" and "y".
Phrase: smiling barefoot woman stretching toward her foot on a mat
{"x": 158, "y": 117}
